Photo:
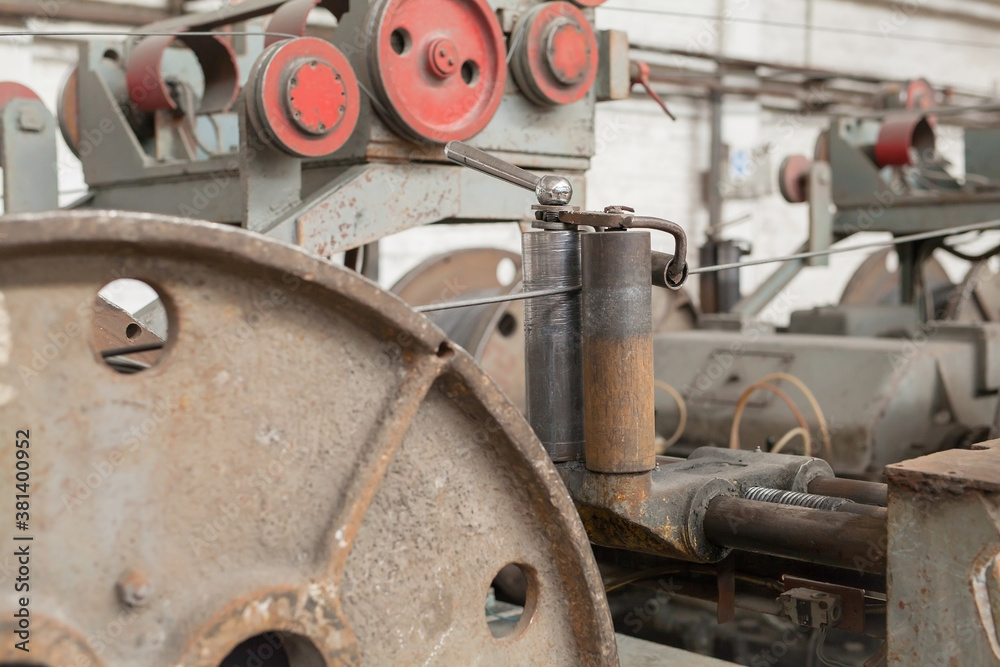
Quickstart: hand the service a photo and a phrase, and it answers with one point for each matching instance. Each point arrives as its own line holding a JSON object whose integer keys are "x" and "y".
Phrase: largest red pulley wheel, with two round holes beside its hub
{"x": 437, "y": 67}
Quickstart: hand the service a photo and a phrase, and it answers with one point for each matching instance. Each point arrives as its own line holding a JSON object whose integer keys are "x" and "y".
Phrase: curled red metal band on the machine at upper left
{"x": 148, "y": 87}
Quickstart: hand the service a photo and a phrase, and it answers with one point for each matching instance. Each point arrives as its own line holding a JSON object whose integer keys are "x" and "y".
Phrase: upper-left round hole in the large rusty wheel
{"x": 129, "y": 328}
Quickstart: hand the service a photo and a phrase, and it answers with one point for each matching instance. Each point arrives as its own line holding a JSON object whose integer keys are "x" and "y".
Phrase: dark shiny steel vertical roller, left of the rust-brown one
{"x": 553, "y": 358}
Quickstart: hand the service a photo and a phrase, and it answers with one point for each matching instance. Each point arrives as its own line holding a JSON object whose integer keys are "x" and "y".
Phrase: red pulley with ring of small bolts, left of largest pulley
{"x": 304, "y": 97}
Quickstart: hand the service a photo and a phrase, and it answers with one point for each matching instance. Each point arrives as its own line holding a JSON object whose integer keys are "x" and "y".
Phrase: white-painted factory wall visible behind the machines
{"x": 647, "y": 161}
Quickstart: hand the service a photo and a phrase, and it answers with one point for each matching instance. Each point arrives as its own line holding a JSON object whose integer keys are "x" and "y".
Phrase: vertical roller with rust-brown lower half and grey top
{"x": 619, "y": 421}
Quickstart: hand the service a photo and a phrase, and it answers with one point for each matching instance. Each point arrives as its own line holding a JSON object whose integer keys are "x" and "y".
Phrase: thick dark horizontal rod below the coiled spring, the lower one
{"x": 838, "y": 539}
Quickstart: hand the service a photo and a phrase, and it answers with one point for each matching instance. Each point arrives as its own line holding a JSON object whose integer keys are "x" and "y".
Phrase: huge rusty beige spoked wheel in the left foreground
{"x": 310, "y": 474}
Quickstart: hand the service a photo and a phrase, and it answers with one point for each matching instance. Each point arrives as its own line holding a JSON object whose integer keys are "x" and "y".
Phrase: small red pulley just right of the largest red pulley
{"x": 555, "y": 54}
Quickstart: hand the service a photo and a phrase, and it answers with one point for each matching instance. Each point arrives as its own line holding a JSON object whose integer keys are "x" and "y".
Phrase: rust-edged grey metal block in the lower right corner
{"x": 944, "y": 550}
